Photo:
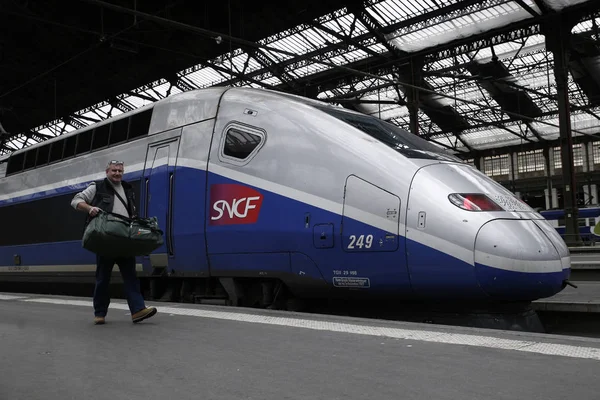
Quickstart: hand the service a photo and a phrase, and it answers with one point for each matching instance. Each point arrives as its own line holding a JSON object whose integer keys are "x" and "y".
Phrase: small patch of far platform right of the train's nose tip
{"x": 584, "y": 298}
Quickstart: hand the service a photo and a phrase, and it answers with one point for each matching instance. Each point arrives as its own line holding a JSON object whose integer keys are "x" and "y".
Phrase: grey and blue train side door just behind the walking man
{"x": 158, "y": 187}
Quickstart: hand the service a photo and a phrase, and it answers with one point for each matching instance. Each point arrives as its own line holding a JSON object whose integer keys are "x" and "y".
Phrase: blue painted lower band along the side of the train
{"x": 279, "y": 241}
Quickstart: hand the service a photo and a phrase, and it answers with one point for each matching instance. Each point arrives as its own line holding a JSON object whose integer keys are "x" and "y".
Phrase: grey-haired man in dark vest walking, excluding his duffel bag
{"x": 112, "y": 194}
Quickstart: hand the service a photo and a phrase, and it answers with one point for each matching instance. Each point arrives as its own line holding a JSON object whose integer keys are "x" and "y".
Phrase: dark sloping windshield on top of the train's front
{"x": 397, "y": 138}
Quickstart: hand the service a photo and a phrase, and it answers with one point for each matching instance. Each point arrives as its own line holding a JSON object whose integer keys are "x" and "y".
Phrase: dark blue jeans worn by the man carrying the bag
{"x": 104, "y": 267}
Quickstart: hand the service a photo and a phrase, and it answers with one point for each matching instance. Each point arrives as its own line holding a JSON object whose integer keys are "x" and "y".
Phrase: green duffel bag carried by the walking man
{"x": 114, "y": 235}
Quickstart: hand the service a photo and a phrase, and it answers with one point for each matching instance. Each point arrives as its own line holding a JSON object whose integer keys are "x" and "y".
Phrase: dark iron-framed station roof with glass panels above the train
{"x": 483, "y": 68}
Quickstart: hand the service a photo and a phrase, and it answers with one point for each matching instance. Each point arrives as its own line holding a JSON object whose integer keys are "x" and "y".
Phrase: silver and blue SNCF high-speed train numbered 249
{"x": 257, "y": 190}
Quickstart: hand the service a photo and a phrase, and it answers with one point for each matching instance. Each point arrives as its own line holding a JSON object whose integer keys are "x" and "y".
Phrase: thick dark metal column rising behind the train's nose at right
{"x": 558, "y": 33}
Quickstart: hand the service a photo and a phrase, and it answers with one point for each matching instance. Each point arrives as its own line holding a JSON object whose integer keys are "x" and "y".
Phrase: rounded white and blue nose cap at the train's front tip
{"x": 515, "y": 259}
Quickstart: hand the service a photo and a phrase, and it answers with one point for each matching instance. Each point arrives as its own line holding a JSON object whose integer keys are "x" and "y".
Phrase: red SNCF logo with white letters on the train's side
{"x": 233, "y": 204}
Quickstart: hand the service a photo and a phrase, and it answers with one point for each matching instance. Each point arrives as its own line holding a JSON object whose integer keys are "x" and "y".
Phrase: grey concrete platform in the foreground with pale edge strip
{"x": 51, "y": 351}
